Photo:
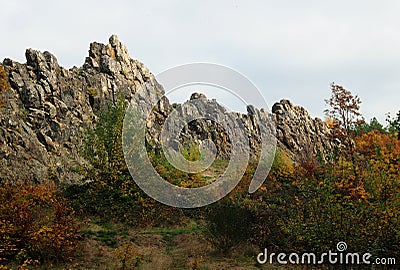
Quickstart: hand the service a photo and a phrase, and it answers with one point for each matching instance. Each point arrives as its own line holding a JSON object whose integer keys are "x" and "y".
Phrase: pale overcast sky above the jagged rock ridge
{"x": 288, "y": 49}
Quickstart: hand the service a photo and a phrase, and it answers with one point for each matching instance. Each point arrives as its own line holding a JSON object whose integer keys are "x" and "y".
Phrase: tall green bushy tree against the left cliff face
{"x": 109, "y": 191}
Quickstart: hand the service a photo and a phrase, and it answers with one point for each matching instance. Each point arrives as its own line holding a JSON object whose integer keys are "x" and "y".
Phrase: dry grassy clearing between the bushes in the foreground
{"x": 114, "y": 246}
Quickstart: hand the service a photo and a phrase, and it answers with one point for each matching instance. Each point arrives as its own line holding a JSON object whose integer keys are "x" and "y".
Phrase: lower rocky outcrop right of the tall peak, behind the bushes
{"x": 297, "y": 133}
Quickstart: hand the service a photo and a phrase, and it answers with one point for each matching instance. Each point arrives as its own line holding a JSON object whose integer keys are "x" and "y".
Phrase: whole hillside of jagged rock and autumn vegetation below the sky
{"x": 73, "y": 149}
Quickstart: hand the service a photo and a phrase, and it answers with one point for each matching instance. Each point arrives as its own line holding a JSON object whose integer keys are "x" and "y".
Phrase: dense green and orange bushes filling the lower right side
{"x": 295, "y": 211}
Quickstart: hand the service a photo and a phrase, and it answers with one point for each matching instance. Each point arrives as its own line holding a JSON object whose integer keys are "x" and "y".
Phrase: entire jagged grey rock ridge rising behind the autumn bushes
{"x": 48, "y": 108}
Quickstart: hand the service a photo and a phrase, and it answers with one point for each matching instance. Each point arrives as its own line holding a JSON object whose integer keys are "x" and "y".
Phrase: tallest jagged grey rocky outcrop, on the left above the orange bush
{"x": 48, "y": 108}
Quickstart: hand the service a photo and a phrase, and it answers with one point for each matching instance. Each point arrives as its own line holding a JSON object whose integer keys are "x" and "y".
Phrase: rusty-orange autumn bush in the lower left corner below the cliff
{"x": 36, "y": 224}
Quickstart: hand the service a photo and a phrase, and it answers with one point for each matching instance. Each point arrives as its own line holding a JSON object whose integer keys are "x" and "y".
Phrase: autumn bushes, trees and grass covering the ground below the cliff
{"x": 351, "y": 194}
